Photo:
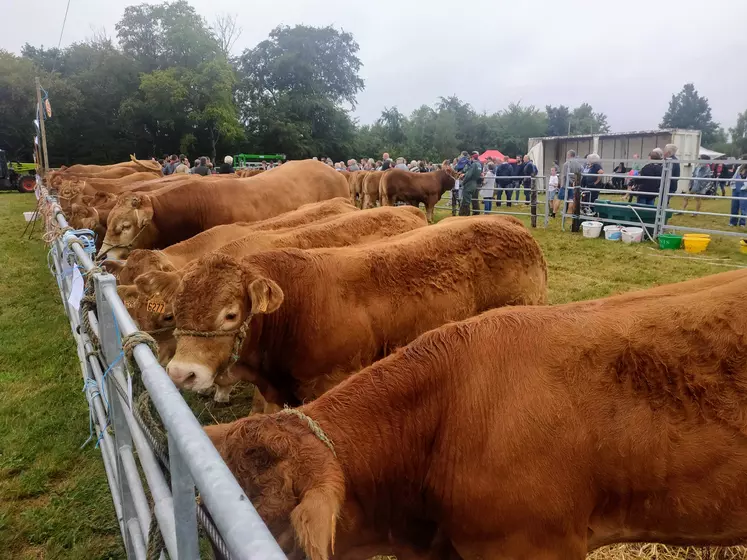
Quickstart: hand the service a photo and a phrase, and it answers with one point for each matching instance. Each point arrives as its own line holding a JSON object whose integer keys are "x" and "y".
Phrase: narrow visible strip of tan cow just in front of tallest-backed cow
{"x": 177, "y": 256}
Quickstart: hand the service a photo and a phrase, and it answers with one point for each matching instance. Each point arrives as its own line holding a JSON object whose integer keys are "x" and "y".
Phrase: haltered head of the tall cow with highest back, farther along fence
{"x": 129, "y": 226}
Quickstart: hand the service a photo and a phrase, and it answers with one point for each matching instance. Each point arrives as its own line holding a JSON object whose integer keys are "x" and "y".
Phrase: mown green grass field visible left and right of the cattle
{"x": 54, "y": 500}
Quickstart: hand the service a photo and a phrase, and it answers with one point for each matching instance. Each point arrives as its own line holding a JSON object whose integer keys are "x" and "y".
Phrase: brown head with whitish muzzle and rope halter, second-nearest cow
{"x": 215, "y": 294}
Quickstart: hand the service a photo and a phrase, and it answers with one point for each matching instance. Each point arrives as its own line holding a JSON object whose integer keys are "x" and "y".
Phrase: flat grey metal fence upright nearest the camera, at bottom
{"x": 185, "y": 506}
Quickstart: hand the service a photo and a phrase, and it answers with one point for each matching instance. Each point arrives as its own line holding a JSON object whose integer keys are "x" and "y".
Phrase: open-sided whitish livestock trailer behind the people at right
{"x": 616, "y": 147}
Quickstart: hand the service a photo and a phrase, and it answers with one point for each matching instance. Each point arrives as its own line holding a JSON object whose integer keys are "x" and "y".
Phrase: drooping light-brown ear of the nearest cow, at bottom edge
{"x": 314, "y": 520}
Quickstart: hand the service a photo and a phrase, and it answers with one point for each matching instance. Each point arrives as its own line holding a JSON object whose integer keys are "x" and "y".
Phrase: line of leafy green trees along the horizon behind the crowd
{"x": 170, "y": 85}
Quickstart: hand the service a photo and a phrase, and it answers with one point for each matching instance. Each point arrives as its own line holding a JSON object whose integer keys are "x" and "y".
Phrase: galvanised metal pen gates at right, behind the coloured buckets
{"x": 651, "y": 209}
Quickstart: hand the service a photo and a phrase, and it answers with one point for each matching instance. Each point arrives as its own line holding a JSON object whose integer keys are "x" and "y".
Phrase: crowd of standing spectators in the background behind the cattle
{"x": 488, "y": 182}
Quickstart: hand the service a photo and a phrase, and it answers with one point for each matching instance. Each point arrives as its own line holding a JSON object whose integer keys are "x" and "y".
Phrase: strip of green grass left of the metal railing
{"x": 54, "y": 499}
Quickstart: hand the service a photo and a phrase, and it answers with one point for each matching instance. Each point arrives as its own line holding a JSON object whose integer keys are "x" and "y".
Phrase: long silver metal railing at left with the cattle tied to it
{"x": 107, "y": 342}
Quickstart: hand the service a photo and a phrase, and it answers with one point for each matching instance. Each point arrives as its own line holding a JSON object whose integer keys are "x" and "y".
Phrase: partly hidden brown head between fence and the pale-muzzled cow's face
{"x": 152, "y": 315}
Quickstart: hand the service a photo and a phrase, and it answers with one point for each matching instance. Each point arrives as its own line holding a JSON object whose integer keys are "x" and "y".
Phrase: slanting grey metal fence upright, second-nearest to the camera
{"x": 112, "y": 351}
